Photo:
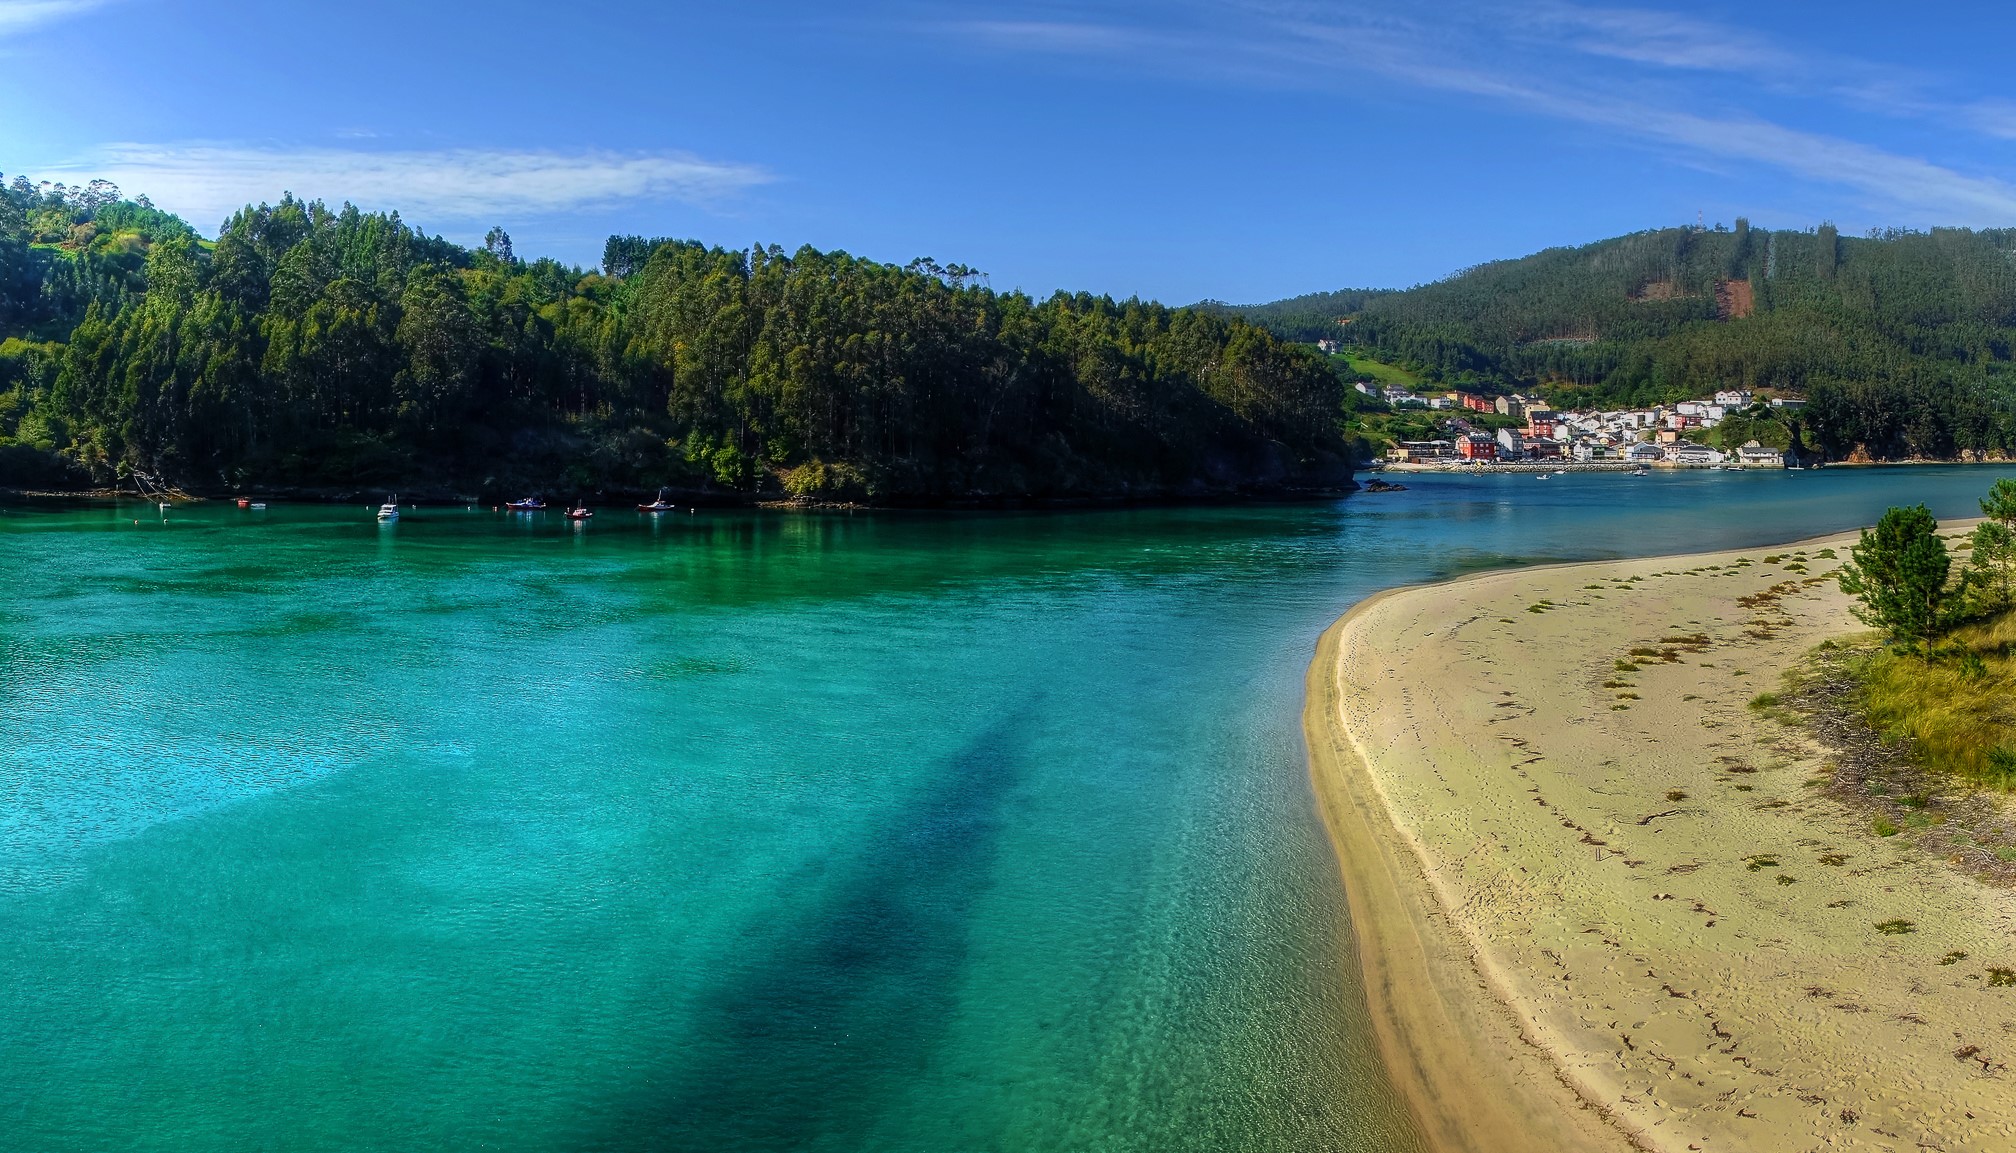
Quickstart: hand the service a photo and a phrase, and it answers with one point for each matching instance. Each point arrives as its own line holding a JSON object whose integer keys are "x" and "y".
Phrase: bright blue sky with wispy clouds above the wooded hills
{"x": 1241, "y": 150}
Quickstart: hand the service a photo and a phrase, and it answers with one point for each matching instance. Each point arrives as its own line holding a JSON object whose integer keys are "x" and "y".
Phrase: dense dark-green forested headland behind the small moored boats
{"x": 336, "y": 350}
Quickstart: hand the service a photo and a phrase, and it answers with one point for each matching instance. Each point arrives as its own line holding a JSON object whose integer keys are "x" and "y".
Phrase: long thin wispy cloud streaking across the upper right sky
{"x": 1620, "y": 70}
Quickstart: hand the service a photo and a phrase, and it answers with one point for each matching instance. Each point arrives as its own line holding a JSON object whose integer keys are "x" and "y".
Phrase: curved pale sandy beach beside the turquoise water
{"x": 1602, "y": 904}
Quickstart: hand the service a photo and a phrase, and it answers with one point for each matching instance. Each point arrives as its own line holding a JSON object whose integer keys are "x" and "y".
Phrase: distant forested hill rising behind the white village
{"x": 1904, "y": 342}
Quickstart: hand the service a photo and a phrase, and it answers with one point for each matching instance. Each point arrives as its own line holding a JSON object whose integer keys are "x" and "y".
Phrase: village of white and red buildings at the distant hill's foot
{"x": 1626, "y": 438}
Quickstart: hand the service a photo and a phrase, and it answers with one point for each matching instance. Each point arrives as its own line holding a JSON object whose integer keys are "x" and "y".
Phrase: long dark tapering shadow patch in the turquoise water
{"x": 805, "y": 1041}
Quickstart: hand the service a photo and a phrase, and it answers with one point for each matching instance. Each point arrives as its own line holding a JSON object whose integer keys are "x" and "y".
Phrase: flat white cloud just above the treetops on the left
{"x": 207, "y": 182}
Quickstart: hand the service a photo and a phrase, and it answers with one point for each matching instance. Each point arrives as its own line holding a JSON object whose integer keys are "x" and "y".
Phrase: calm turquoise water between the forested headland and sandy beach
{"x": 725, "y": 831}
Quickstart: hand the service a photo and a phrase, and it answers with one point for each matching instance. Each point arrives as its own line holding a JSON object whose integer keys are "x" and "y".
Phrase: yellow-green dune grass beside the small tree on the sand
{"x": 1955, "y": 700}
